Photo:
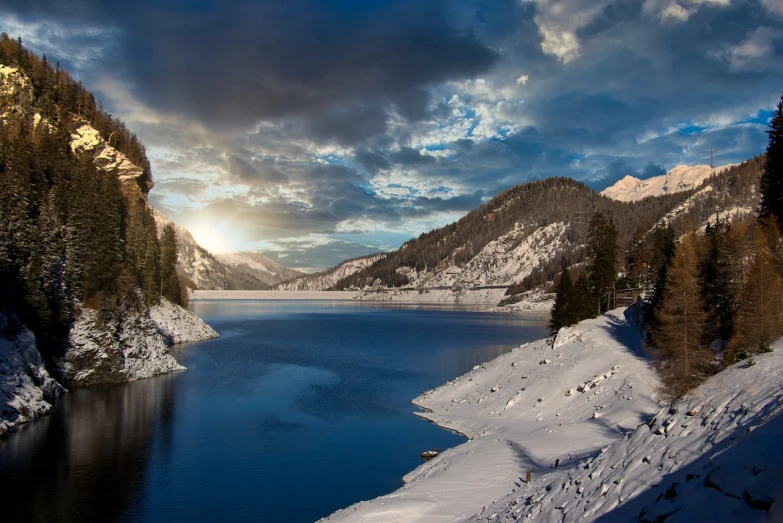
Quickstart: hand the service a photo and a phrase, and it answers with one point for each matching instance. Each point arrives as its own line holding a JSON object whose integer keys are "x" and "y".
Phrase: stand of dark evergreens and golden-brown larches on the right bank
{"x": 714, "y": 297}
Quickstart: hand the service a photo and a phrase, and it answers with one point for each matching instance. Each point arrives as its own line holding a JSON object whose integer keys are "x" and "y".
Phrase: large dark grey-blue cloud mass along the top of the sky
{"x": 233, "y": 65}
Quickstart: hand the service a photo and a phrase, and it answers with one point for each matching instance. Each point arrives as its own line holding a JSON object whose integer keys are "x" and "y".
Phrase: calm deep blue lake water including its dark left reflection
{"x": 299, "y": 409}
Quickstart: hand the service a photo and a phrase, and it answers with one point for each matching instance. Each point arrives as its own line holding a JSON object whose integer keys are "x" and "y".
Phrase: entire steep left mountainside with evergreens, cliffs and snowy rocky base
{"x": 81, "y": 262}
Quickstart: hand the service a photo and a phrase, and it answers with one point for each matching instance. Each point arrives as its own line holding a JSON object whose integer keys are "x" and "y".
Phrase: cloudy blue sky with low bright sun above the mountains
{"x": 314, "y": 131}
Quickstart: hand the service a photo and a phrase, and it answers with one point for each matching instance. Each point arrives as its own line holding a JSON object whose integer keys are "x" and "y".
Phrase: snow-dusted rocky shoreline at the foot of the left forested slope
{"x": 135, "y": 348}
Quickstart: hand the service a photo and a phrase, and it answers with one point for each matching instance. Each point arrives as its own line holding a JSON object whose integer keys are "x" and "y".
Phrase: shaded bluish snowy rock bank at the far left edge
{"x": 26, "y": 389}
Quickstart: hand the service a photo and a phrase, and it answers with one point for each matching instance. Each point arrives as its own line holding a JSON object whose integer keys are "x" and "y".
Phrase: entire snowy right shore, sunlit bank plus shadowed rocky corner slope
{"x": 582, "y": 403}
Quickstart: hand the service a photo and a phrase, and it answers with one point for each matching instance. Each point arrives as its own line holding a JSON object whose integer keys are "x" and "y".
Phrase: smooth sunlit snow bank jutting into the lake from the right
{"x": 545, "y": 401}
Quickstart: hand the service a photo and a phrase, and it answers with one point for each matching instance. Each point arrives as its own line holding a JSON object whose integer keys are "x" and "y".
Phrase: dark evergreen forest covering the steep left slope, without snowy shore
{"x": 71, "y": 235}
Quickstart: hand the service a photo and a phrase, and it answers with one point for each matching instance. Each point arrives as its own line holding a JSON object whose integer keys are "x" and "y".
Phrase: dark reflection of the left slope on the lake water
{"x": 87, "y": 460}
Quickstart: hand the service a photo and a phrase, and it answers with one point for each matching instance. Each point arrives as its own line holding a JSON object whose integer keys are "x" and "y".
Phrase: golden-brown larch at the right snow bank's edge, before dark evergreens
{"x": 681, "y": 322}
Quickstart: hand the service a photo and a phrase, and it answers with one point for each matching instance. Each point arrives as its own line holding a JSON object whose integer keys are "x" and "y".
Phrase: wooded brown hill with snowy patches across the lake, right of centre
{"x": 523, "y": 236}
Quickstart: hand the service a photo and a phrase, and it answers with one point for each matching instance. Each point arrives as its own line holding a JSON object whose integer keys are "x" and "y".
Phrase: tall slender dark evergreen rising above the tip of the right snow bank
{"x": 602, "y": 243}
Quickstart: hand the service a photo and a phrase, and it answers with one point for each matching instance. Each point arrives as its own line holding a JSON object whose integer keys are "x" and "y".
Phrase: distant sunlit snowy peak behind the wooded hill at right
{"x": 681, "y": 178}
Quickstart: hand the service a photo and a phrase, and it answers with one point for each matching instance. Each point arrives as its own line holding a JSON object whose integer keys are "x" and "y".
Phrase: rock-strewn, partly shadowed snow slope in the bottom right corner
{"x": 713, "y": 456}
